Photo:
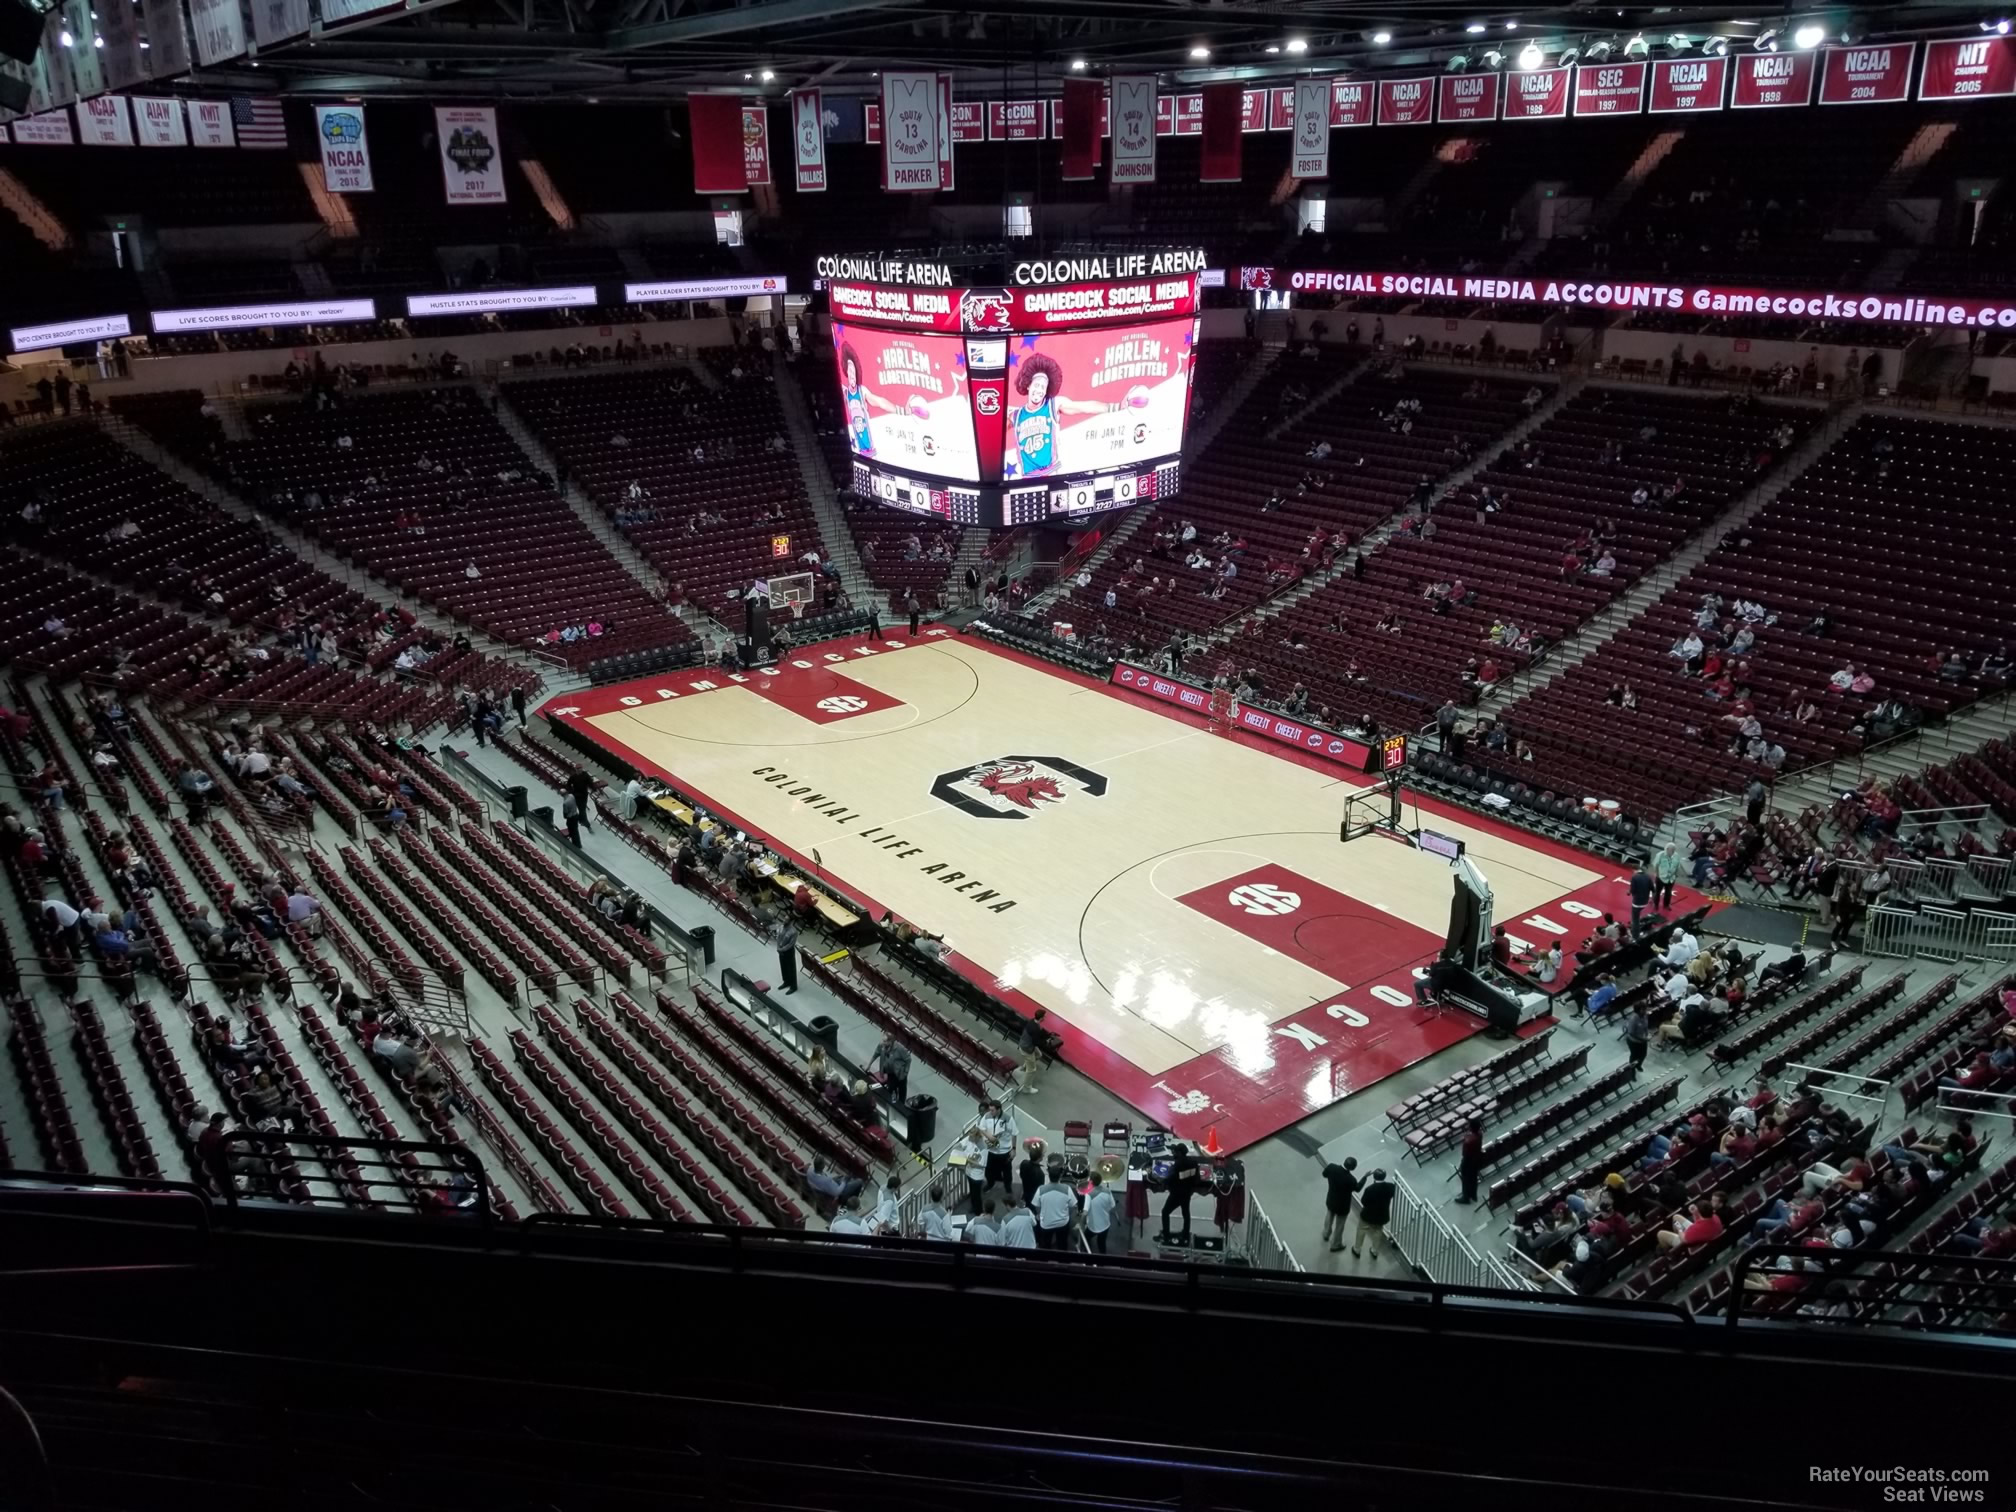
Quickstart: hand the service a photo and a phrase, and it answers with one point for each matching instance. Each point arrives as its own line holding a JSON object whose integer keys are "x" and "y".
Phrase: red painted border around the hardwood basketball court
{"x": 1186, "y": 1098}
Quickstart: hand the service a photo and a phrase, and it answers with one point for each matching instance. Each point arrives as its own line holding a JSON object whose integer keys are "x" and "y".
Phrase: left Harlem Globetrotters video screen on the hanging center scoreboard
{"x": 906, "y": 400}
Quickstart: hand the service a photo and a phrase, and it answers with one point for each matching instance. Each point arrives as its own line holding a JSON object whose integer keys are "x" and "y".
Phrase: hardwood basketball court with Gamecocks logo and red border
{"x": 1176, "y": 896}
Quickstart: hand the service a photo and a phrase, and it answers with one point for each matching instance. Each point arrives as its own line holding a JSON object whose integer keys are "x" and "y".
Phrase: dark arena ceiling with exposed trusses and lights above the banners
{"x": 662, "y": 49}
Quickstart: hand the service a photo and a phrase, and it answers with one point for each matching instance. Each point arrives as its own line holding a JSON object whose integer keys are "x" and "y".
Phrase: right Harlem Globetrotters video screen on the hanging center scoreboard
{"x": 1098, "y": 400}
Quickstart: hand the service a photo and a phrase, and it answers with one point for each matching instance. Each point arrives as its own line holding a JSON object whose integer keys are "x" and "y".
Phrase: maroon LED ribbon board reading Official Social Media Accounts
{"x": 1612, "y": 295}
